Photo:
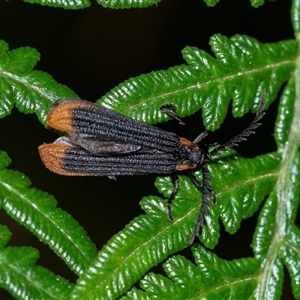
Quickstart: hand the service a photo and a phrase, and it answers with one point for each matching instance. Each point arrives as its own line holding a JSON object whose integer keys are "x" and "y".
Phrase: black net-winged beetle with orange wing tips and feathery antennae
{"x": 102, "y": 142}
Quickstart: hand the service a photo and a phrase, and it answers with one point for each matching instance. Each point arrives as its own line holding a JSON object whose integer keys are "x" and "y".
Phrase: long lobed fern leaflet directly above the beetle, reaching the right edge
{"x": 242, "y": 70}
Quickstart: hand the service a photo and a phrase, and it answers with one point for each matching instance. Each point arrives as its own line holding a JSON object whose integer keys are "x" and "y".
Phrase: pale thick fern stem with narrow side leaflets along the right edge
{"x": 277, "y": 238}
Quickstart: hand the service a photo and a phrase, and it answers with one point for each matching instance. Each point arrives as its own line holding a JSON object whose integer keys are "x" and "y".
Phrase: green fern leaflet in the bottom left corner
{"x": 23, "y": 279}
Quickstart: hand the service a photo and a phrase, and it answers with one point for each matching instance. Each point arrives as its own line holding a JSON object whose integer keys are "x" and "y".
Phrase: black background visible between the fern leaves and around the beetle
{"x": 91, "y": 51}
